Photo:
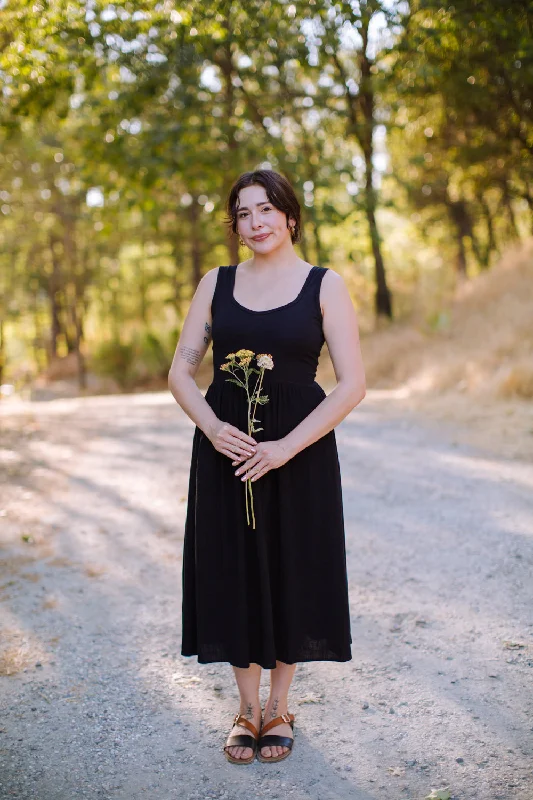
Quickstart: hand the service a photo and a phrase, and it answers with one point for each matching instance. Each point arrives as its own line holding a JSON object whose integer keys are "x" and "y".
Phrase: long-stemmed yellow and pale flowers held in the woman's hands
{"x": 241, "y": 361}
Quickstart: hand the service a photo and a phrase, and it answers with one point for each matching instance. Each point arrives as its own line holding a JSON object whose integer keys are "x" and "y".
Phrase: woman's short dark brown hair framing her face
{"x": 279, "y": 192}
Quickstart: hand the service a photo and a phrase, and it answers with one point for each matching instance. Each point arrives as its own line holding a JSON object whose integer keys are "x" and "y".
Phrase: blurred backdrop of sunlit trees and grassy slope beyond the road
{"x": 406, "y": 129}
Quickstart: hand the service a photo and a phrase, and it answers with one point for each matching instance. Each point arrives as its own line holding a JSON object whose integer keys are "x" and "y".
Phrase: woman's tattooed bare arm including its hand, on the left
{"x": 190, "y": 350}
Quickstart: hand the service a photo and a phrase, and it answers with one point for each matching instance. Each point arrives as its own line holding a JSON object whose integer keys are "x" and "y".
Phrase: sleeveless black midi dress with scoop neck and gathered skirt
{"x": 279, "y": 592}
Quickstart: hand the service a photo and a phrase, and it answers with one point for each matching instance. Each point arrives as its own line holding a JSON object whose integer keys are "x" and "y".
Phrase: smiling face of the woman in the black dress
{"x": 262, "y": 226}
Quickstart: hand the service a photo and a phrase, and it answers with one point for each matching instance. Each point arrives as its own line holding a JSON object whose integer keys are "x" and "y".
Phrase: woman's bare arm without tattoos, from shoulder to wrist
{"x": 342, "y": 337}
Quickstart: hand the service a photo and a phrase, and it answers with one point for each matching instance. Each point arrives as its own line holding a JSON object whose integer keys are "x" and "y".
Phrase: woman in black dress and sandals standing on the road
{"x": 277, "y": 594}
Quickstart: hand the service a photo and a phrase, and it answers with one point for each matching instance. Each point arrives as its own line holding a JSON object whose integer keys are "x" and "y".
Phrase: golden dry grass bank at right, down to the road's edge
{"x": 476, "y": 373}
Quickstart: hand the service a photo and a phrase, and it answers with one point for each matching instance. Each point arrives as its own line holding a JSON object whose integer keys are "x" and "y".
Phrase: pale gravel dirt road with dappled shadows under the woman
{"x": 97, "y": 701}
